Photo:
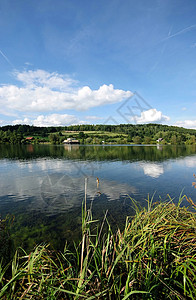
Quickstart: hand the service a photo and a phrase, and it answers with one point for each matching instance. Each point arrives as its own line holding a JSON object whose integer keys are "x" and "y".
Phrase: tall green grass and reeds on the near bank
{"x": 154, "y": 257}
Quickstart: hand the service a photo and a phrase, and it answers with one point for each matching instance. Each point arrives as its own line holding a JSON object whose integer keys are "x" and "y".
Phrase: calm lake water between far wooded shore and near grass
{"x": 43, "y": 185}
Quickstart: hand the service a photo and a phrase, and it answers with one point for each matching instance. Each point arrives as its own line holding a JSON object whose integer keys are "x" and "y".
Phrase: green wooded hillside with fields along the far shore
{"x": 97, "y": 134}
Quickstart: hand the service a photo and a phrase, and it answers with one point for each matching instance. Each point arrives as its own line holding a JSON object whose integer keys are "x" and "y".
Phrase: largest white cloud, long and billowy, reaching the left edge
{"x": 42, "y": 91}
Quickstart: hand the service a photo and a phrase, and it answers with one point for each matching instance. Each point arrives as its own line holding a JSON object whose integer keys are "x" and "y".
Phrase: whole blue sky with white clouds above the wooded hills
{"x": 75, "y": 62}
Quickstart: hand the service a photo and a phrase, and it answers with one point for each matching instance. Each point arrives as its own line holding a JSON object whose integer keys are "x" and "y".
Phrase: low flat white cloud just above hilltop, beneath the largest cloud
{"x": 50, "y": 120}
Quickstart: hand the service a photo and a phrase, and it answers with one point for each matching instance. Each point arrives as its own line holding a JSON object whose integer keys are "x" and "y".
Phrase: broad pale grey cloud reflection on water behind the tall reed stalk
{"x": 58, "y": 192}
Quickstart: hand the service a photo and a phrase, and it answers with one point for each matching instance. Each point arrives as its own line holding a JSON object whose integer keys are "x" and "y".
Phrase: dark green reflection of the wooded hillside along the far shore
{"x": 96, "y": 153}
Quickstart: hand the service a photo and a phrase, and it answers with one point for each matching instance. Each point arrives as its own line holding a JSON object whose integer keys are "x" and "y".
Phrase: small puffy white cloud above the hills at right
{"x": 151, "y": 116}
